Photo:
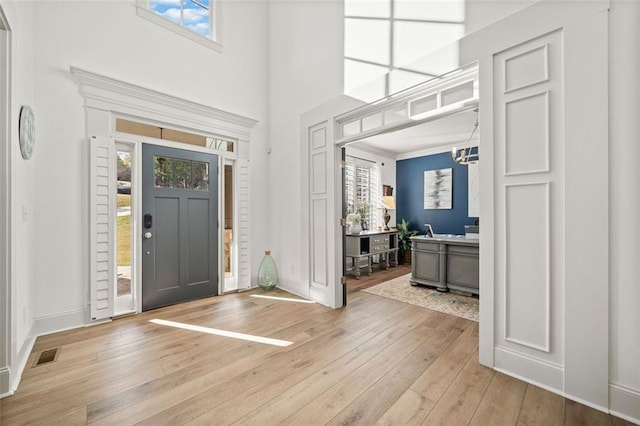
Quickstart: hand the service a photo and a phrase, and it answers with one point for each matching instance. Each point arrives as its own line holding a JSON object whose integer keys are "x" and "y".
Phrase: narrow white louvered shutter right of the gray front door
{"x": 244, "y": 254}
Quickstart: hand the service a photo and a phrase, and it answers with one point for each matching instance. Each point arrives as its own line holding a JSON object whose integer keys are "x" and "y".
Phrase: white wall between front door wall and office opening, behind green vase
{"x": 305, "y": 70}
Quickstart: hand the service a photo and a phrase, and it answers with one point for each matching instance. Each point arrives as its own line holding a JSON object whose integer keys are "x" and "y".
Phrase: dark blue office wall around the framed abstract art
{"x": 410, "y": 195}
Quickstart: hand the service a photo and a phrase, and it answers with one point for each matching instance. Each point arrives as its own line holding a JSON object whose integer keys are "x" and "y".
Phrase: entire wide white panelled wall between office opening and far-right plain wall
{"x": 544, "y": 196}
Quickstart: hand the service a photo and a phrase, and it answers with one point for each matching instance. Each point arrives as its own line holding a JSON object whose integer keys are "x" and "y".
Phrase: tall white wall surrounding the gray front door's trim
{"x": 108, "y": 38}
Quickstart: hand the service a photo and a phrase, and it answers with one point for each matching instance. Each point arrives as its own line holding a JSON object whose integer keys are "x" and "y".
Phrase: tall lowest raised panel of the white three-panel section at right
{"x": 527, "y": 265}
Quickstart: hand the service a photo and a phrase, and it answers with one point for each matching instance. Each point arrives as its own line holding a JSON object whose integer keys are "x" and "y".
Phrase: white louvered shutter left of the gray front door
{"x": 102, "y": 212}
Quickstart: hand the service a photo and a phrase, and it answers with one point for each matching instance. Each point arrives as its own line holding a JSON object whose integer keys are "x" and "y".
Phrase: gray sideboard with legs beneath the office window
{"x": 366, "y": 245}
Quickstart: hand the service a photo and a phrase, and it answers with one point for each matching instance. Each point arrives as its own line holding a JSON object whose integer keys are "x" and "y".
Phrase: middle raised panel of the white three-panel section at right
{"x": 527, "y": 135}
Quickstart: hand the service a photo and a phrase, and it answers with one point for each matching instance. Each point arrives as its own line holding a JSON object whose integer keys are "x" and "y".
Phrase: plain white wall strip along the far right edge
{"x": 624, "y": 133}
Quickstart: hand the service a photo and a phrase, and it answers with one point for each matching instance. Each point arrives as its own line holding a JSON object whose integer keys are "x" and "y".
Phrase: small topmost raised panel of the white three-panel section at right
{"x": 526, "y": 69}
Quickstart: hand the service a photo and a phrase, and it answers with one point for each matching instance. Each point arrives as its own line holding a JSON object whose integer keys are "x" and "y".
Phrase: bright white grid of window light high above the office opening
{"x": 384, "y": 38}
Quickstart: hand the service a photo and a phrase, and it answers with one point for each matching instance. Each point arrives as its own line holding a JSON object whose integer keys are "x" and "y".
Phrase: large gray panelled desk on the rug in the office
{"x": 446, "y": 263}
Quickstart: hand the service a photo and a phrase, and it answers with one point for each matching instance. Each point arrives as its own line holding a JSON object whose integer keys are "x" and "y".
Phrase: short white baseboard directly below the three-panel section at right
{"x": 531, "y": 370}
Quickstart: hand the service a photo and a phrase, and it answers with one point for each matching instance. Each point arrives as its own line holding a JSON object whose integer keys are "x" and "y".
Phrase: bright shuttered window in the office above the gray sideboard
{"x": 362, "y": 190}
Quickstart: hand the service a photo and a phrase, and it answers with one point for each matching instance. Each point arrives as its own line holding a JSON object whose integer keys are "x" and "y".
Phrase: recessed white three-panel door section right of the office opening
{"x": 528, "y": 157}
